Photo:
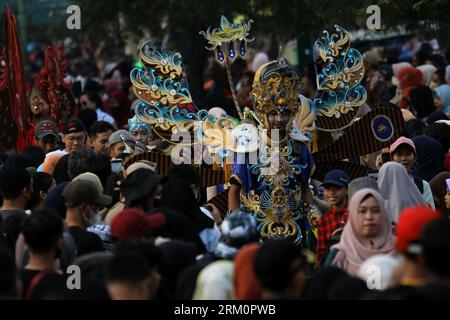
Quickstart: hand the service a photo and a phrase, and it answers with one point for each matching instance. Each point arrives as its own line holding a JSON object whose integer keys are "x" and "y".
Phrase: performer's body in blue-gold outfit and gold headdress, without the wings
{"x": 271, "y": 187}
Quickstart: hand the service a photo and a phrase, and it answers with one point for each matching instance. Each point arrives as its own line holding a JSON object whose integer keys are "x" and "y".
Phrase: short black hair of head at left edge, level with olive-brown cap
{"x": 13, "y": 180}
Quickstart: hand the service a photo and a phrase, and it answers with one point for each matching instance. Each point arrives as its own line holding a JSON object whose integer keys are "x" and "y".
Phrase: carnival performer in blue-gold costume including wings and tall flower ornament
{"x": 265, "y": 157}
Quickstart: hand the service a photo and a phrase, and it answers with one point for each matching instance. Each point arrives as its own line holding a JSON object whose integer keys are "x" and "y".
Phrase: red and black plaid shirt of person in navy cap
{"x": 331, "y": 221}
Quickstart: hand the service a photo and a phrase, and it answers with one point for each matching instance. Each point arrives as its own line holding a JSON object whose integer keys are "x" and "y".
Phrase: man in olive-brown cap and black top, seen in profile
{"x": 83, "y": 200}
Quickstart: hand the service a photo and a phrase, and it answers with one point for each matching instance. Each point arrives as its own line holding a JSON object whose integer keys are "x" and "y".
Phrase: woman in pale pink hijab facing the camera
{"x": 368, "y": 232}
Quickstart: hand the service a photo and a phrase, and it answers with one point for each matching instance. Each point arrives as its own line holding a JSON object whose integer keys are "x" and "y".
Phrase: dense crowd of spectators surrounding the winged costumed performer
{"x": 68, "y": 201}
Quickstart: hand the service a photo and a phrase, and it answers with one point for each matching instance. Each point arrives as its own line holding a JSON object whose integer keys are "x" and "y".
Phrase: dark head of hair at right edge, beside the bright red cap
{"x": 436, "y": 245}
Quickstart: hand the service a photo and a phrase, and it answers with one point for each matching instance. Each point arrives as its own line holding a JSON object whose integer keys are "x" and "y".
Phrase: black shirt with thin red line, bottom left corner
{"x": 50, "y": 285}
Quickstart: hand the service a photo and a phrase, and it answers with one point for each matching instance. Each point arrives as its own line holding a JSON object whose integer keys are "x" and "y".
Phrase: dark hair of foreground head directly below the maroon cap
{"x": 128, "y": 267}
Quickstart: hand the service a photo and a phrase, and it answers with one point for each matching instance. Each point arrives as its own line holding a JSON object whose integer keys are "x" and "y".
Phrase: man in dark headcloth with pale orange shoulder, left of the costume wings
{"x": 74, "y": 138}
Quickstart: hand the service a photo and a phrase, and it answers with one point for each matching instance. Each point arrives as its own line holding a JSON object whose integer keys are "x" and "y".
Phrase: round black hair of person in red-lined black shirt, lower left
{"x": 42, "y": 229}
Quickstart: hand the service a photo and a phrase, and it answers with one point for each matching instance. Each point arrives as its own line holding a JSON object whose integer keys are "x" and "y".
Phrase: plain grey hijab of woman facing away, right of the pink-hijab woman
{"x": 398, "y": 190}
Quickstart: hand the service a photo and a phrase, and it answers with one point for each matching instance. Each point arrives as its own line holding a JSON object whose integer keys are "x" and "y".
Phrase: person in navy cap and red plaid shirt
{"x": 331, "y": 223}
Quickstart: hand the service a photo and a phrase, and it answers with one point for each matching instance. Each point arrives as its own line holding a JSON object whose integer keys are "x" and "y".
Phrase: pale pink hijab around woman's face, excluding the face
{"x": 353, "y": 249}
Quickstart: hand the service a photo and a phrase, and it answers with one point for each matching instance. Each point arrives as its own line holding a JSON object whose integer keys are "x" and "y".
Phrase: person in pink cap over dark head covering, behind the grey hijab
{"x": 403, "y": 151}
